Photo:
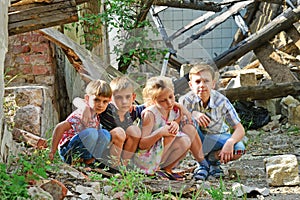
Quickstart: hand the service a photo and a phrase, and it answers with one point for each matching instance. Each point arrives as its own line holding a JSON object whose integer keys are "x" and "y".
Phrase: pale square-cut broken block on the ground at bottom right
{"x": 282, "y": 170}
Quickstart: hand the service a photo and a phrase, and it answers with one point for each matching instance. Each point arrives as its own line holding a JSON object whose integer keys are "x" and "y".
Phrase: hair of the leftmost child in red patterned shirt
{"x": 98, "y": 88}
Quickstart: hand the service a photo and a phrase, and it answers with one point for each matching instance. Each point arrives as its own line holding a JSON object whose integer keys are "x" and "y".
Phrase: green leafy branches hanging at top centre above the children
{"x": 132, "y": 36}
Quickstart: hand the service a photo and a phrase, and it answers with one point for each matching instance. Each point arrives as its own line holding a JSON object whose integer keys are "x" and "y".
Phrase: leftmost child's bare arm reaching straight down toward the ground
{"x": 57, "y": 135}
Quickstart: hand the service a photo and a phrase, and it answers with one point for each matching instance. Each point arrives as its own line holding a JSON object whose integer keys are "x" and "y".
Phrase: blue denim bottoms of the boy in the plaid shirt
{"x": 215, "y": 142}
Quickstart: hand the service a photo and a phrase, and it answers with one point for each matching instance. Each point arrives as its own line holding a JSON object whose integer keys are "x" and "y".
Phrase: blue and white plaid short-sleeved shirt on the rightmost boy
{"x": 219, "y": 110}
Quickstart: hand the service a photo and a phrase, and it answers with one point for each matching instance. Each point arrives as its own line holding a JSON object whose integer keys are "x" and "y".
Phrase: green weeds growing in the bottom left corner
{"x": 22, "y": 171}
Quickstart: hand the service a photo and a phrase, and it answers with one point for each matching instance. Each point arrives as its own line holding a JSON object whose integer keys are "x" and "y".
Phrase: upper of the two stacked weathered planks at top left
{"x": 41, "y": 11}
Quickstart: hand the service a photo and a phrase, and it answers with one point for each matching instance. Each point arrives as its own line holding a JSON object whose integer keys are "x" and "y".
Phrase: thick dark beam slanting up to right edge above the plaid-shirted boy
{"x": 282, "y": 22}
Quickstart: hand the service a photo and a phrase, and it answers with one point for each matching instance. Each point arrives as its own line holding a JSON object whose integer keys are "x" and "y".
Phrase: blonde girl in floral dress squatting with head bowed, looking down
{"x": 161, "y": 146}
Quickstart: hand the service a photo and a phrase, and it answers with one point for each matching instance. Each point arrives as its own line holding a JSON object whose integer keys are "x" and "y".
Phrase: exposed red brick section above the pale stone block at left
{"x": 30, "y": 56}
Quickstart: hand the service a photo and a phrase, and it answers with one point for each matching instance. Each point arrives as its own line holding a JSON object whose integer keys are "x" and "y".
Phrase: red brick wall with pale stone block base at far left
{"x": 31, "y": 57}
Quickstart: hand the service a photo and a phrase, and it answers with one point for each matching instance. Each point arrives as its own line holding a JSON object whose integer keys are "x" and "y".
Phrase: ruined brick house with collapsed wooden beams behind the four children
{"x": 52, "y": 69}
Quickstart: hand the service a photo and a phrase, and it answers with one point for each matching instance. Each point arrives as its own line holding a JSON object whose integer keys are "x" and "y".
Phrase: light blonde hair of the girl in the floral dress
{"x": 154, "y": 86}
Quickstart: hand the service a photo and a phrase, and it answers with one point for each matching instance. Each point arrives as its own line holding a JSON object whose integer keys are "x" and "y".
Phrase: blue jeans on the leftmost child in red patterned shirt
{"x": 89, "y": 143}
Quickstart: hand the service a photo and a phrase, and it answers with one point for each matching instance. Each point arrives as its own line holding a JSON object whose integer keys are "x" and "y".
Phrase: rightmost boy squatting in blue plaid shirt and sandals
{"x": 212, "y": 112}
